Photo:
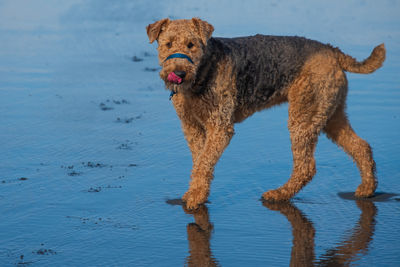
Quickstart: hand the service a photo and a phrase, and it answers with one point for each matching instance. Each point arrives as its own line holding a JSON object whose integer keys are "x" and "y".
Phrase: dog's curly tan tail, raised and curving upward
{"x": 369, "y": 65}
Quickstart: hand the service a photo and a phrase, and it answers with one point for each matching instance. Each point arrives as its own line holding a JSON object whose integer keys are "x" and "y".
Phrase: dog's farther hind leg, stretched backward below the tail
{"x": 339, "y": 131}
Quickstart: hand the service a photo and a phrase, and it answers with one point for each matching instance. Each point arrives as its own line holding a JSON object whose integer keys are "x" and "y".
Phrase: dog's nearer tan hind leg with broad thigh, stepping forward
{"x": 312, "y": 101}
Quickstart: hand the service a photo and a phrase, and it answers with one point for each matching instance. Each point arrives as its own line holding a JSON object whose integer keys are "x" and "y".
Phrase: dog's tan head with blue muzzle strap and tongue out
{"x": 181, "y": 45}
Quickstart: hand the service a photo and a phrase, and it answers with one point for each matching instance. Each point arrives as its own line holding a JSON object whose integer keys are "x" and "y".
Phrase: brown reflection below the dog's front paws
{"x": 199, "y": 234}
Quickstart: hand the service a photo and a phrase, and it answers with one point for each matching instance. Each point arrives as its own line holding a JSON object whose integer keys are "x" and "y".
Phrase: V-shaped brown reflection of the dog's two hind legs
{"x": 303, "y": 236}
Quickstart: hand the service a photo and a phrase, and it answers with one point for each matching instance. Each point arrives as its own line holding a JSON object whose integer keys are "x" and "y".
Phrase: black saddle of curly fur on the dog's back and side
{"x": 263, "y": 64}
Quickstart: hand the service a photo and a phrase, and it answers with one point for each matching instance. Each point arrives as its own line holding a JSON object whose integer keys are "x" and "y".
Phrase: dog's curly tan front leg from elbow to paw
{"x": 217, "y": 139}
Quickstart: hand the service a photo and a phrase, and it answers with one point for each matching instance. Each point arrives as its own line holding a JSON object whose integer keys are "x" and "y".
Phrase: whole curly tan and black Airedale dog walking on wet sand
{"x": 217, "y": 82}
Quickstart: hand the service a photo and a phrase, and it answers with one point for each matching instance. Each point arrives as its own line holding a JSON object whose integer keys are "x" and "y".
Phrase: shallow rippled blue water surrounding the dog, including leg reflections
{"x": 93, "y": 159}
